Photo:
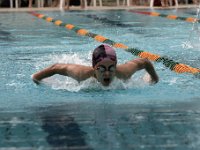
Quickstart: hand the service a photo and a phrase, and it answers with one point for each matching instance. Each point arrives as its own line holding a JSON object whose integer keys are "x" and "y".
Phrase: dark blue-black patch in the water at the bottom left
{"x": 63, "y": 131}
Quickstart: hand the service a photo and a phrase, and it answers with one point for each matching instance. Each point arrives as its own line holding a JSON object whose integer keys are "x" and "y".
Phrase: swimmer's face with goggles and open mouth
{"x": 105, "y": 71}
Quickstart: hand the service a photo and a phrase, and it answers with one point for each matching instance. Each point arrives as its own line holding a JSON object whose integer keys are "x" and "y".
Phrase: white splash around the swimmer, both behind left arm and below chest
{"x": 58, "y": 82}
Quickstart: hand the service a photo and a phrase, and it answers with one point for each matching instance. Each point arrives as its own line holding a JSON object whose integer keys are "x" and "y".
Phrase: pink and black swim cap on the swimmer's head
{"x": 101, "y": 52}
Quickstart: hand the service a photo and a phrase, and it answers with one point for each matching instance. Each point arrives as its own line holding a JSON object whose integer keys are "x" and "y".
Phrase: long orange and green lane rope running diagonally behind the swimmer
{"x": 169, "y": 63}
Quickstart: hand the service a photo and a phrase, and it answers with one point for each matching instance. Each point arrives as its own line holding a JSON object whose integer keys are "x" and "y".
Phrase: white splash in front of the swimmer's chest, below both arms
{"x": 91, "y": 84}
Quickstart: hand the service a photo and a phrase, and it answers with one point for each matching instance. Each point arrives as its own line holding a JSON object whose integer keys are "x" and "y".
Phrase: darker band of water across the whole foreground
{"x": 103, "y": 126}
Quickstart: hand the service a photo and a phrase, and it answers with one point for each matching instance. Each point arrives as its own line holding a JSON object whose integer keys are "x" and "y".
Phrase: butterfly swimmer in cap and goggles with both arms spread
{"x": 104, "y": 68}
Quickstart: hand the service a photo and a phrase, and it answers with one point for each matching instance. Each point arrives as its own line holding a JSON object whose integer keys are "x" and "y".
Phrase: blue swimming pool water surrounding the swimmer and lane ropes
{"x": 64, "y": 114}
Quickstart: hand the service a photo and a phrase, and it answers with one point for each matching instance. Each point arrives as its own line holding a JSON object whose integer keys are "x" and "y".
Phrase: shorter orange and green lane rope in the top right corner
{"x": 172, "y": 17}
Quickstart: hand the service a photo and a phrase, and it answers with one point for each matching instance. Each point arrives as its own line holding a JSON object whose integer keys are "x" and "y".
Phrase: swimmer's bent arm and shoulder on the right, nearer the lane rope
{"x": 125, "y": 71}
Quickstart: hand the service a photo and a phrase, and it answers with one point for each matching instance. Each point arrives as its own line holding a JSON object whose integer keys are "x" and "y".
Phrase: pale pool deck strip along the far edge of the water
{"x": 92, "y": 8}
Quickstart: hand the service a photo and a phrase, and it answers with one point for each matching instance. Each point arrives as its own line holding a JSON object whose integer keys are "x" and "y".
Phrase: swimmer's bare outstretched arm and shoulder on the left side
{"x": 77, "y": 72}
